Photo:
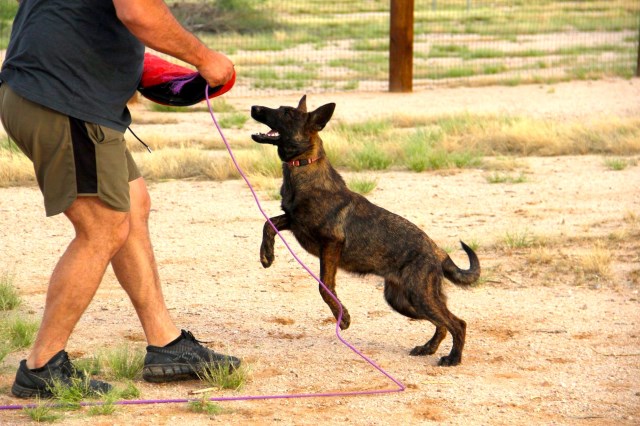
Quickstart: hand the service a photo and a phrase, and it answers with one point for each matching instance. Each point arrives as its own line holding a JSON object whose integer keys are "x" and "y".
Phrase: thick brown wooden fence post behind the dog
{"x": 401, "y": 46}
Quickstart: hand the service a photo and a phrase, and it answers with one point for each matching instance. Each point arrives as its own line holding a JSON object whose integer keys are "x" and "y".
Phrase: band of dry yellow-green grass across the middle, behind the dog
{"x": 400, "y": 141}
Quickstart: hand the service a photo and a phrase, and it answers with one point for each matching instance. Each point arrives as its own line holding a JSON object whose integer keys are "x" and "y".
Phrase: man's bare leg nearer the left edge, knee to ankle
{"x": 100, "y": 232}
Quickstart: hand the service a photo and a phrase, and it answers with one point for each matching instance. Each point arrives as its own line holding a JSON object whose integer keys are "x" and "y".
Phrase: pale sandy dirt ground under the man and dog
{"x": 547, "y": 342}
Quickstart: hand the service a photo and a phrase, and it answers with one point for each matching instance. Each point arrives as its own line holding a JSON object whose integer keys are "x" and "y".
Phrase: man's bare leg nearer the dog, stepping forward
{"x": 135, "y": 267}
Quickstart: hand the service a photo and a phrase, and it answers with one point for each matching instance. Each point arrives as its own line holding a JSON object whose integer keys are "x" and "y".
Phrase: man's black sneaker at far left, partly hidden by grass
{"x": 59, "y": 369}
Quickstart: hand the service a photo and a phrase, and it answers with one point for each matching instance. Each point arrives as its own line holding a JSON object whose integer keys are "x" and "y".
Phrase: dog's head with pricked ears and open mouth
{"x": 293, "y": 130}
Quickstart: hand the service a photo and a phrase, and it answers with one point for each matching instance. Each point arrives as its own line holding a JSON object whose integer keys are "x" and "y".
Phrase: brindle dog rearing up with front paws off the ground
{"x": 347, "y": 231}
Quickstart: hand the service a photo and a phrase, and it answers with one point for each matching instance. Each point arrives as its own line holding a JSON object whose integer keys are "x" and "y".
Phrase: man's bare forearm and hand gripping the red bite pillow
{"x": 153, "y": 24}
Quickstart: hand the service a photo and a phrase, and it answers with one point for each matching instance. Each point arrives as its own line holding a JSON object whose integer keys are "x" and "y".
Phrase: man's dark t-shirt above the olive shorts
{"x": 75, "y": 57}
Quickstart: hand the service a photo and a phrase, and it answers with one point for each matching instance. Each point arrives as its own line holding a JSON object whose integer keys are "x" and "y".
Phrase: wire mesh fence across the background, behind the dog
{"x": 316, "y": 46}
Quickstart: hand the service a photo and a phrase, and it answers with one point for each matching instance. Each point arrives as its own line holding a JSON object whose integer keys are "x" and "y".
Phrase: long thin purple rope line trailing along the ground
{"x": 369, "y": 361}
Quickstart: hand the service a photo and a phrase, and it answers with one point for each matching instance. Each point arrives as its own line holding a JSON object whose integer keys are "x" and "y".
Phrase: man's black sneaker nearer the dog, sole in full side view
{"x": 183, "y": 359}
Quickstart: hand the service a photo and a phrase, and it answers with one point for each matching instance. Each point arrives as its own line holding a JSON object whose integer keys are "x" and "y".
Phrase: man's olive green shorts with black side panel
{"x": 70, "y": 157}
